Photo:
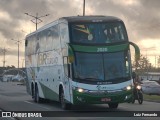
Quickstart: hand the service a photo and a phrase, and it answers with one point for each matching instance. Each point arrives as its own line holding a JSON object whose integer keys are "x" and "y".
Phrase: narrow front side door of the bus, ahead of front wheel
{"x": 67, "y": 78}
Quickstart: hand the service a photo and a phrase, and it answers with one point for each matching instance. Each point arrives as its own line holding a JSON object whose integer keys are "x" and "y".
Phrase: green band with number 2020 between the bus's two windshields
{"x": 113, "y": 48}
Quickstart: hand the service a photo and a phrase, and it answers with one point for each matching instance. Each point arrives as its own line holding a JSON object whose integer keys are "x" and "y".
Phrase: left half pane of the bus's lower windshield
{"x": 88, "y": 66}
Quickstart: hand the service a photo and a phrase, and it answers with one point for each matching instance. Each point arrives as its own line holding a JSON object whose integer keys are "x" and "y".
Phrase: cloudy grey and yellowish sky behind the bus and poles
{"x": 141, "y": 17}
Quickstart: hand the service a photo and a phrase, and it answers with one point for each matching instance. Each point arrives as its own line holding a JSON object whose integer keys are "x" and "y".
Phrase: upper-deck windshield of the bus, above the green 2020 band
{"x": 98, "y": 33}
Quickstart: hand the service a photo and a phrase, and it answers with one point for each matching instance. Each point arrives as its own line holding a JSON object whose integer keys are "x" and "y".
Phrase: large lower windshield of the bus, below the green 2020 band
{"x": 101, "y": 66}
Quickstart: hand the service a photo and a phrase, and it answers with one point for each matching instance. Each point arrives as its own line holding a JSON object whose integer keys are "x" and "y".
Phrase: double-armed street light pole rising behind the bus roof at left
{"x": 36, "y": 19}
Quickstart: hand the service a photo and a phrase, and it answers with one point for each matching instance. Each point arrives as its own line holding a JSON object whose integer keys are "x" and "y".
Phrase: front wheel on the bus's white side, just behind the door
{"x": 64, "y": 105}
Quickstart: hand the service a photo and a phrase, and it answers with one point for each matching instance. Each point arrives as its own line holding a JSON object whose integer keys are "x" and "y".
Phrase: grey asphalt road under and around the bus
{"x": 13, "y": 97}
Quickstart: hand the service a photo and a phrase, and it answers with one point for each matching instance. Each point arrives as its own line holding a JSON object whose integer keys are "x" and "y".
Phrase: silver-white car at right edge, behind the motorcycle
{"x": 151, "y": 88}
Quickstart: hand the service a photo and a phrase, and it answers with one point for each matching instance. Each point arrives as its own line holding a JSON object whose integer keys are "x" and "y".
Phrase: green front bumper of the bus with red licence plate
{"x": 102, "y": 98}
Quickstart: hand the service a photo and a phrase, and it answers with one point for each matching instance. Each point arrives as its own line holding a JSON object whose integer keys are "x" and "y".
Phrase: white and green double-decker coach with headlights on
{"x": 80, "y": 60}
